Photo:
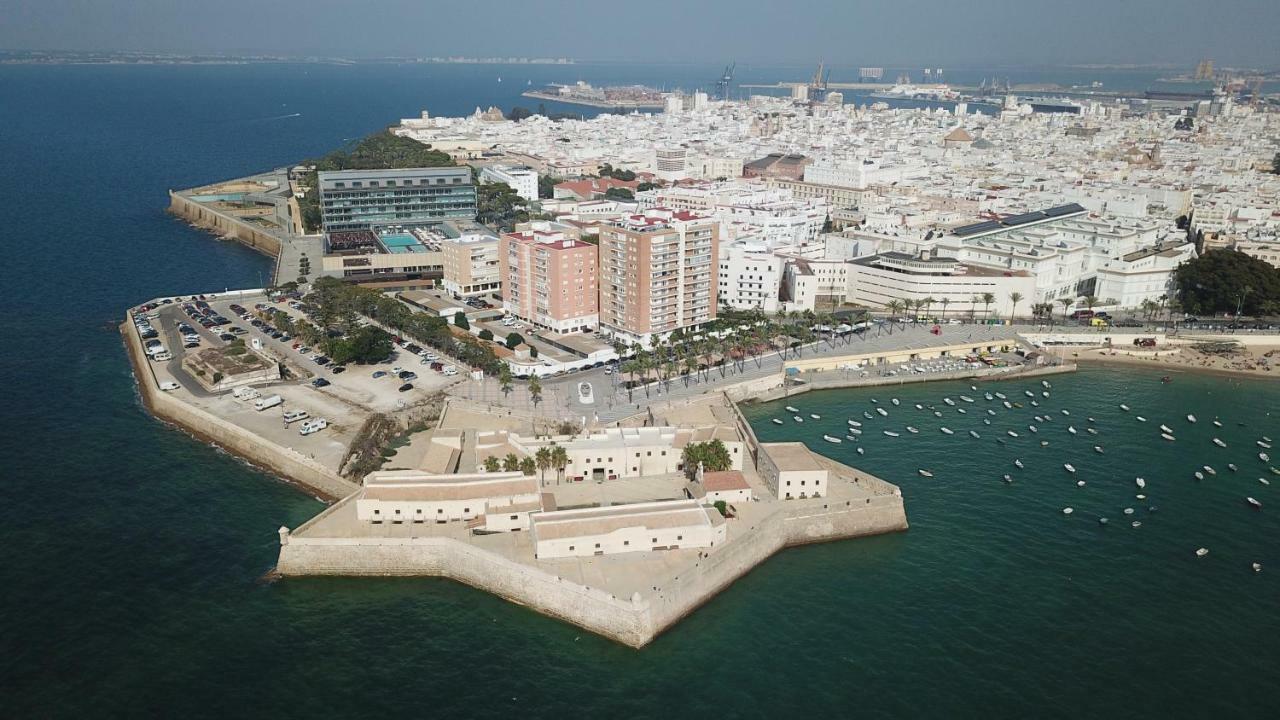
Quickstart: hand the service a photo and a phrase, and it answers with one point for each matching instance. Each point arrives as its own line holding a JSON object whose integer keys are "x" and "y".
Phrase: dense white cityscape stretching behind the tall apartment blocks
{"x": 829, "y": 203}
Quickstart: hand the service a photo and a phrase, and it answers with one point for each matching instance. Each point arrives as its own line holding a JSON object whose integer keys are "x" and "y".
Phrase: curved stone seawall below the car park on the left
{"x": 236, "y": 440}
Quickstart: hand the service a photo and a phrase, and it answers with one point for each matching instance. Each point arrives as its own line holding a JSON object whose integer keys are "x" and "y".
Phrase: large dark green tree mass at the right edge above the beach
{"x": 1214, "y": 284}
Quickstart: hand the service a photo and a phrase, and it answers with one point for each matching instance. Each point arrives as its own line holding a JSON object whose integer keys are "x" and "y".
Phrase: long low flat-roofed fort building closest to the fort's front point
{"x": 641, "y": 527}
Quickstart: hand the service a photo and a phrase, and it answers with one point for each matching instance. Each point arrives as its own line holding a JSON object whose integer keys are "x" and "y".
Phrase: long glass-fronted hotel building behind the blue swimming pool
{"x": 365, "y": 199}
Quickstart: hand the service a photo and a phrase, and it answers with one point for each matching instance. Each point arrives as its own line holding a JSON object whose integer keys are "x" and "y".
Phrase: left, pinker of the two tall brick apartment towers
{"x": 550, "y": 280}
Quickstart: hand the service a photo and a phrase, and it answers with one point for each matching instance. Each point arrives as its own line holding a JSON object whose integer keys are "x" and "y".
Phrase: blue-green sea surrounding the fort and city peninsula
{"x": 134, "y": 557}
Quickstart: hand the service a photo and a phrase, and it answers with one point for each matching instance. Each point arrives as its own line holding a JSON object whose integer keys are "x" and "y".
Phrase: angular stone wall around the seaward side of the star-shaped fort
{"x": 634, "y": 622}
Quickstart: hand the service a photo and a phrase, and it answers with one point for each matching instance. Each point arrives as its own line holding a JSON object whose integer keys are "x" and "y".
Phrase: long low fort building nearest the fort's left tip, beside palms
{"x": 496, "y": 502}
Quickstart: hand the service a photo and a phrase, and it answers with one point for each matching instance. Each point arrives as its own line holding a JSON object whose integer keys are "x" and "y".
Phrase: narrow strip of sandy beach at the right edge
{"x": 1258, "y": 362}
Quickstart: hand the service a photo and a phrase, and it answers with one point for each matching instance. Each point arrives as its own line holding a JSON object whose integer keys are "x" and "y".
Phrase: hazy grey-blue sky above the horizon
{"x": 802, "y": 31}
